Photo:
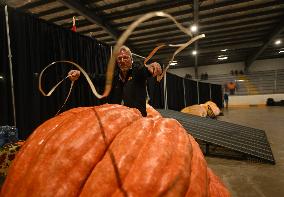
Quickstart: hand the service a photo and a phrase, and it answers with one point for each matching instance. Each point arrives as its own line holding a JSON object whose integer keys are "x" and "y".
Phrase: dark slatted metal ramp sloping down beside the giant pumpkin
{"x": 223, "y": 139}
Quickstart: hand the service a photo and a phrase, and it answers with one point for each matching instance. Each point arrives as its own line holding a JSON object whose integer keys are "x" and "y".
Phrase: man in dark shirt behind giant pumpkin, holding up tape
{"x": 129, "y": 84}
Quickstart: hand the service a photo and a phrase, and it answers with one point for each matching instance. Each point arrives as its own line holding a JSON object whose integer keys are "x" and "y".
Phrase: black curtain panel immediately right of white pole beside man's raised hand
{"x": 175, "y": 92}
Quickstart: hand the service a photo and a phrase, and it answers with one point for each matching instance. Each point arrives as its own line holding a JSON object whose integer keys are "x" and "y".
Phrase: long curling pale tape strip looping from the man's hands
{"x": 119, "y": 44}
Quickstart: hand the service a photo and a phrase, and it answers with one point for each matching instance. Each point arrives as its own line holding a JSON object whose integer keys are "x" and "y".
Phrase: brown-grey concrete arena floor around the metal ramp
{"x": 247, "y": 179}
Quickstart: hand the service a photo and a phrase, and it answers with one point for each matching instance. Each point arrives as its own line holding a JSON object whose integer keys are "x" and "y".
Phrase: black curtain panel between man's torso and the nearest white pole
{"x": 156, "y": 93}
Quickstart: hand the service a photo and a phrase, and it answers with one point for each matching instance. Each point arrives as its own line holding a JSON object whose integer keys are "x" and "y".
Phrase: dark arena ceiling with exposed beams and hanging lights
{"x": 245, "y": 30}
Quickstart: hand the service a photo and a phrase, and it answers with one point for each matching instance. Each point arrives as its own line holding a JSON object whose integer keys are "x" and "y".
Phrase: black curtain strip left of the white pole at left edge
{"x": 6, "y": 110}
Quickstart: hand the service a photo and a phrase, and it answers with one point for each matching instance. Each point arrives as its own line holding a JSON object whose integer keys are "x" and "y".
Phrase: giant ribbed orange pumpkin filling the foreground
{"x": 110, "y": 150}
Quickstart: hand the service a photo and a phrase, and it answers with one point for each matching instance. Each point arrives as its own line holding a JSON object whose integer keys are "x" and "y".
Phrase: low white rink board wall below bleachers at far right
{"x": 254, "y": 99}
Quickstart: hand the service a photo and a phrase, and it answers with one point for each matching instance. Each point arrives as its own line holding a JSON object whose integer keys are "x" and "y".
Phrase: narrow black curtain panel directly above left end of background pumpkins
{"x": 190, "y": 92}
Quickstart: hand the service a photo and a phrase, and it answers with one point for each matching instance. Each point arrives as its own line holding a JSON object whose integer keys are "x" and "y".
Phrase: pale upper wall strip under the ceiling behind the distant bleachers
{"x": 217, "y": 69}
